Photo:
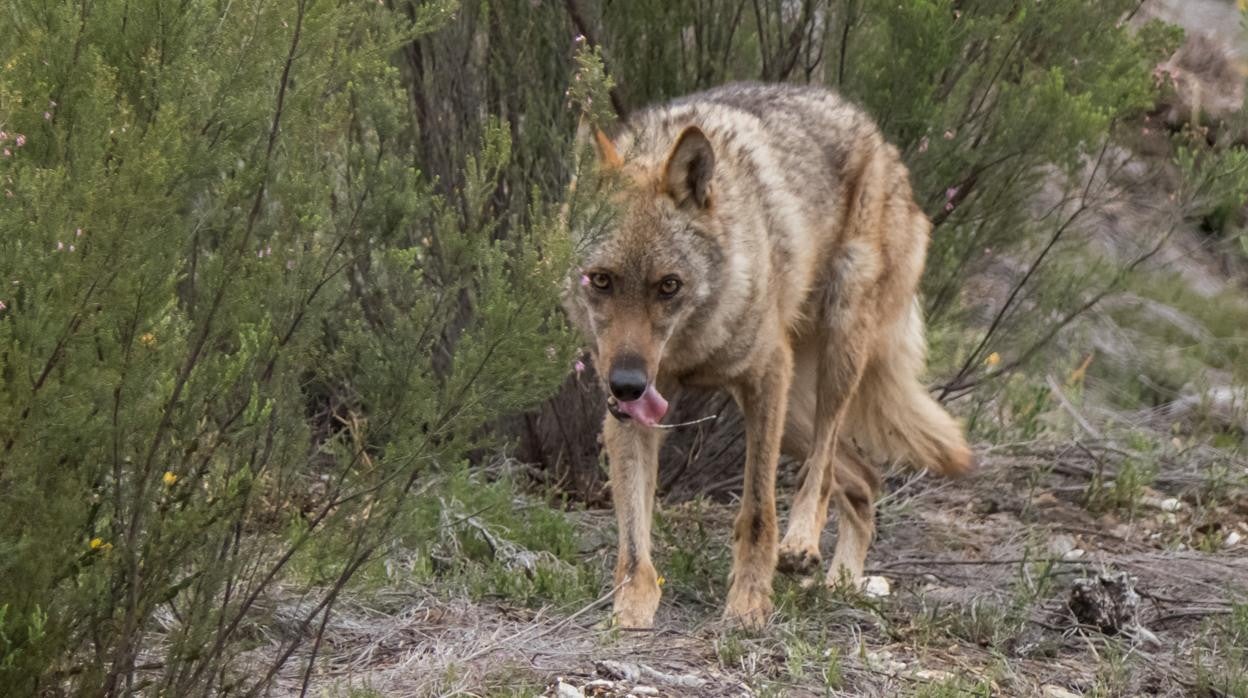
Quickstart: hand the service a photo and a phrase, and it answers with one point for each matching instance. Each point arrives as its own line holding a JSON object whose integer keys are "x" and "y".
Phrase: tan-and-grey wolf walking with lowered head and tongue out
{"x": 766, "y": 242}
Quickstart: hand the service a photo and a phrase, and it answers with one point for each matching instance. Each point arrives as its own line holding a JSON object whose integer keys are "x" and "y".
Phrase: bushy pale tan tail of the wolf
{"x": 894, "y": 418}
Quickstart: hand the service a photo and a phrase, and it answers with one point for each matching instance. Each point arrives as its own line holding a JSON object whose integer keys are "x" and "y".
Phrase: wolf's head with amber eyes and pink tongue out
{"x": 653, "y": 272}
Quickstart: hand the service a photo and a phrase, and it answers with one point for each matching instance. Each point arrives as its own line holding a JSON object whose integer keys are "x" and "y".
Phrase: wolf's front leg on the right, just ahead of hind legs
{"x": 763, "y": 396}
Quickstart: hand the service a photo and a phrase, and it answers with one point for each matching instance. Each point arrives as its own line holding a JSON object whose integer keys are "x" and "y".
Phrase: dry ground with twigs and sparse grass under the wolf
{"x": 982, "y": 574}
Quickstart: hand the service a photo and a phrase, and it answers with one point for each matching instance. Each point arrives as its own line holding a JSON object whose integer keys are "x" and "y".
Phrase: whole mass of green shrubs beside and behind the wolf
{"x": 269, "y": 269}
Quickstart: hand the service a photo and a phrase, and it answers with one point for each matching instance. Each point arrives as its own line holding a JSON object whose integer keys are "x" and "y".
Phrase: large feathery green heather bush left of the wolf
{"x": 238, "y": 324}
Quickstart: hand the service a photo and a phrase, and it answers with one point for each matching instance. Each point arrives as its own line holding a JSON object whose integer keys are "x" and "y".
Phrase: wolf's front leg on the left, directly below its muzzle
{"x": 633, "y": 451}
